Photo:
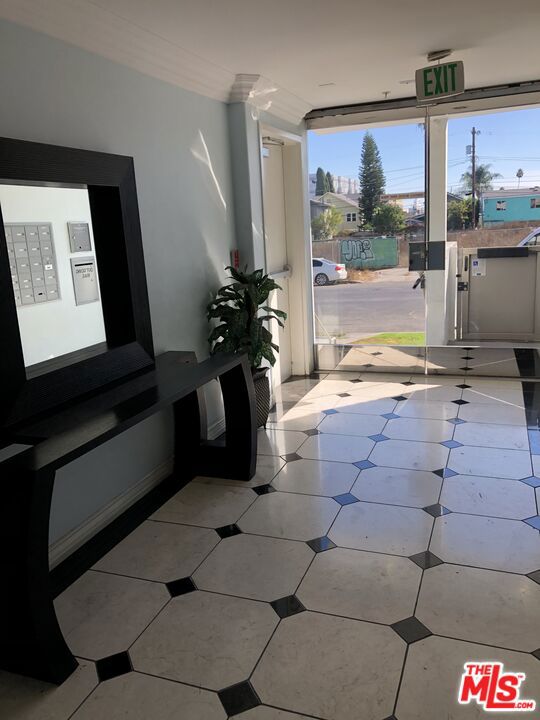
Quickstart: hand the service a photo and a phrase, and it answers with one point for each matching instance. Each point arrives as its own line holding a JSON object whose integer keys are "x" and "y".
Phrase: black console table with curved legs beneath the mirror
{"x": 31, "y": 642}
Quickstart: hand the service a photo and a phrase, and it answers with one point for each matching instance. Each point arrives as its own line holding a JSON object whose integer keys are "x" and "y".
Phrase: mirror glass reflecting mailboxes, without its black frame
{"x": 54, "y": 274}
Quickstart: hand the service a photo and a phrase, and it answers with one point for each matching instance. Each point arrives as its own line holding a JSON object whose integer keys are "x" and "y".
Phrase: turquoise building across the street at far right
{"x": 499, "y": 206}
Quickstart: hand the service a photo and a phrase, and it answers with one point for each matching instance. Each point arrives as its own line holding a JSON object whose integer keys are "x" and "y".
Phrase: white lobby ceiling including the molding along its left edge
{"x": 318, "y": 53}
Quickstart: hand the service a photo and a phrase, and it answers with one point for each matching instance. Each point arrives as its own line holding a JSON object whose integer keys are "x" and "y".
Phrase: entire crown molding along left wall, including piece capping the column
{"x": 92, "y": 27}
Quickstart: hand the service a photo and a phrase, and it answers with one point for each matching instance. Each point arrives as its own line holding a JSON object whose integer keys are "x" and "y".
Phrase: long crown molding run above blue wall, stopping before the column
{"x": 94, "y": 28}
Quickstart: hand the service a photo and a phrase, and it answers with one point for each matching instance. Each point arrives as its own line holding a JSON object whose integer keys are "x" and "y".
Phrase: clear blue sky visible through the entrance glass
{"x": 507, "y": 141}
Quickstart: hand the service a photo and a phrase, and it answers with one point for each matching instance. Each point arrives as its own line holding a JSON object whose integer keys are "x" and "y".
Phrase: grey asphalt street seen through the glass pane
{"x": 367, "y": 308}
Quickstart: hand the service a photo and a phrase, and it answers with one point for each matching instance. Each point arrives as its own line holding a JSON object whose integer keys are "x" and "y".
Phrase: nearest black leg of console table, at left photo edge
{"x": 31, "y": 642}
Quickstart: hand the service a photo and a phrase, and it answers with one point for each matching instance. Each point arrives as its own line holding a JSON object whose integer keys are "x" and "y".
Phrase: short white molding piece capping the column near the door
{"x": 265, "y": 95}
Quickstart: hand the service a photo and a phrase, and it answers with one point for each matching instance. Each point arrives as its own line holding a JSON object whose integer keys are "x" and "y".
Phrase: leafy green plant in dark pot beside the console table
{"x": 241, "y": 310}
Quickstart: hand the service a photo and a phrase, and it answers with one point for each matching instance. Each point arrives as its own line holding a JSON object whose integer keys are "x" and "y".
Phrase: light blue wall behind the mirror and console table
{"x": 55, "y": 93}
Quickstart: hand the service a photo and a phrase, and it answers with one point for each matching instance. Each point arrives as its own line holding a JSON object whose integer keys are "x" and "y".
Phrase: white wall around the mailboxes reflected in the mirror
{"x": 57, "y": 327}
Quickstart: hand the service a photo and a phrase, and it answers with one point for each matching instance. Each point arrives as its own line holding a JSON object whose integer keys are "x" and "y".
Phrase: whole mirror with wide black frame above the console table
{"x": 74, "y": 313}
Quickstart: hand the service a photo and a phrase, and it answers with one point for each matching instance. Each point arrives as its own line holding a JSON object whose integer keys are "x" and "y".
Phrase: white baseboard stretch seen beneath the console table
{"x": 67, "y": 544}
